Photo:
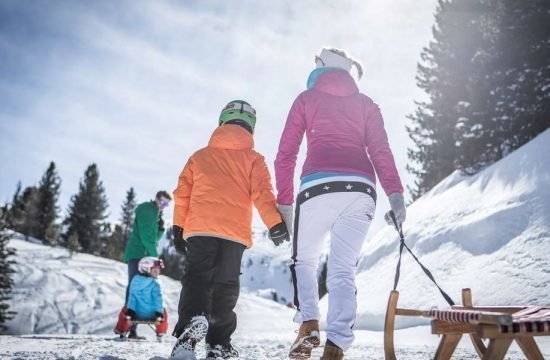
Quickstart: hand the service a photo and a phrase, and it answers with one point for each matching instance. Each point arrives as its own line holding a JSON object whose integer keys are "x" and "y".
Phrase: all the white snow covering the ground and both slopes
{"x": 489, "y": 232}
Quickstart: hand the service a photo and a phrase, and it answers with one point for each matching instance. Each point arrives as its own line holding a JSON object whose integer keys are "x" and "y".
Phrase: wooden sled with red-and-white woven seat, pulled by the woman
{"x": 499, "y": 325}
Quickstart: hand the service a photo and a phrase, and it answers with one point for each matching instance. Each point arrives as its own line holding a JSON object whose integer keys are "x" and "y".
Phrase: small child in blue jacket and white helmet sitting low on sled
{"x": 144, "y": 299}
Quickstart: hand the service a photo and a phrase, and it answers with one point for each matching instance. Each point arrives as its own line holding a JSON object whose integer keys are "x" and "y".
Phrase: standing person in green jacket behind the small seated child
{"x": 147, "y": 230}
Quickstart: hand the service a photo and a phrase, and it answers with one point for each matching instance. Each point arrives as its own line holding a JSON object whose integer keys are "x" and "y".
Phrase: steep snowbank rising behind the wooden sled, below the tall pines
{"x": 489, "y": 232}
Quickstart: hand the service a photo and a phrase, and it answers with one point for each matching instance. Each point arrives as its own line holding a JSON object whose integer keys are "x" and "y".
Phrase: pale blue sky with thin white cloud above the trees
{"x": 137, "y": 86}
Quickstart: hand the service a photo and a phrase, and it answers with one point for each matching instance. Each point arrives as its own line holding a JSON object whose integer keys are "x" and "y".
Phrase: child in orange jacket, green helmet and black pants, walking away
{"x": 212, "y": 227}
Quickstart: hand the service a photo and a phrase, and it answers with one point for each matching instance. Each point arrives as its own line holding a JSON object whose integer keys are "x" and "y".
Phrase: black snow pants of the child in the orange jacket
{"x": 211, "y": 286}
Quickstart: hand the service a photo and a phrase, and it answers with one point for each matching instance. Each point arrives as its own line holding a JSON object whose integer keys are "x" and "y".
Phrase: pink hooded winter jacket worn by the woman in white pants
{"x": 345, "y": 134}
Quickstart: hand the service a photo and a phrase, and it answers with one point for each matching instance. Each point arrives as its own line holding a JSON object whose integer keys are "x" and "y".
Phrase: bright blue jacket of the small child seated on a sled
{"x": 145, "y": 297}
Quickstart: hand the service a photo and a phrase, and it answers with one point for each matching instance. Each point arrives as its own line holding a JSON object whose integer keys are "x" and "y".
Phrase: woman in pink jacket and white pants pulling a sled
{"x": 347, "y": 148}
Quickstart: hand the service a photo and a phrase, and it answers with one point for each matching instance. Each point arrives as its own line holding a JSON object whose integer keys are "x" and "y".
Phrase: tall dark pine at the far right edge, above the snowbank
{"x": 514, "y": 87}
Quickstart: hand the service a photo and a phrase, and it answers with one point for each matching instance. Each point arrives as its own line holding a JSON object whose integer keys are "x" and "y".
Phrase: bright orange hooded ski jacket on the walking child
{"x": 218, "y": 186}
